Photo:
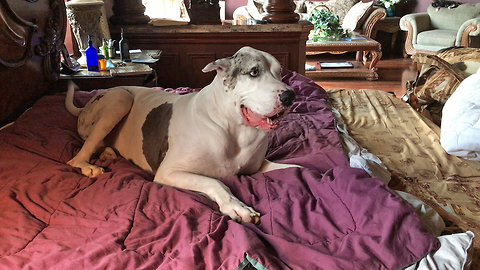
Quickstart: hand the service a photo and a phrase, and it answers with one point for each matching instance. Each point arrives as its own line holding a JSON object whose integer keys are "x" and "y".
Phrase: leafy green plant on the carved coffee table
{"x": 326, "y": 26}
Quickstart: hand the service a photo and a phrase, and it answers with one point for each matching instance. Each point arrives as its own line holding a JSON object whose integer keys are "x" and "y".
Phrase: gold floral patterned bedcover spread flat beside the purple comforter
{"x": 409, "y": 146}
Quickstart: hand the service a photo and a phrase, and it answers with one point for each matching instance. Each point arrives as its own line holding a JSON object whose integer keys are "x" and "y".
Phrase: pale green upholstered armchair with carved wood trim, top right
{"x": 440, "y": 28}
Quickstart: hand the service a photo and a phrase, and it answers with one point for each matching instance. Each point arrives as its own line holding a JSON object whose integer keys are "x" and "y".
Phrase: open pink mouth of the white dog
{"x": 263, "y": 122}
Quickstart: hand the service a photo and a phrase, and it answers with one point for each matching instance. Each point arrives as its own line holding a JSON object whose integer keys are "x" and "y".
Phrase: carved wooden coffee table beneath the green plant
{"x": 356, "y": 44}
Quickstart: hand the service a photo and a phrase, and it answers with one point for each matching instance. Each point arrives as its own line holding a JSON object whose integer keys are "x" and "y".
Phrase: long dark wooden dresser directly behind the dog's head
{"x": 187, "y": 49}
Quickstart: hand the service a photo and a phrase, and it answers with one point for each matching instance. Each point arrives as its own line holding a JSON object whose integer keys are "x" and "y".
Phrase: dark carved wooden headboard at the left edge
{"x": 32, "y": 33}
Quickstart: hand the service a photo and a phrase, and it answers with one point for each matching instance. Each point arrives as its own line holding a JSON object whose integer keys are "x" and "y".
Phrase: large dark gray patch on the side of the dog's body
{"x": 155, "y": 134}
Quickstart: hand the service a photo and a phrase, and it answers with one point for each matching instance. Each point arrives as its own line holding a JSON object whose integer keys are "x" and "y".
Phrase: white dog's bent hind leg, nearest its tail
{"x": 96, "y": 121}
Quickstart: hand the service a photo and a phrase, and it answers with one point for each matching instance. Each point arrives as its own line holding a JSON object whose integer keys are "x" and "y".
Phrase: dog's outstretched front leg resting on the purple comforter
{"x": 213, "y": 189}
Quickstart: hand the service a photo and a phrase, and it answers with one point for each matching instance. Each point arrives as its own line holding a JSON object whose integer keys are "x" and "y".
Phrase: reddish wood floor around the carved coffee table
{"x": 393, "y": 72}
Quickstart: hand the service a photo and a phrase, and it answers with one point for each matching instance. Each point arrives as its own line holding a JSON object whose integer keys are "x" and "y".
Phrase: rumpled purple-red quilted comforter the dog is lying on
{"x": 323, "y": 216}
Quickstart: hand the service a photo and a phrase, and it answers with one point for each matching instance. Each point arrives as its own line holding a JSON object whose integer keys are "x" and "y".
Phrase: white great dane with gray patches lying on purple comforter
{"x": 189, "y": 141}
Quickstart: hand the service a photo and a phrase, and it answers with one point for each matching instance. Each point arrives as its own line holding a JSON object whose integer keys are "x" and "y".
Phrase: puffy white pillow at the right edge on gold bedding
{"x": 460, "y": 130}
